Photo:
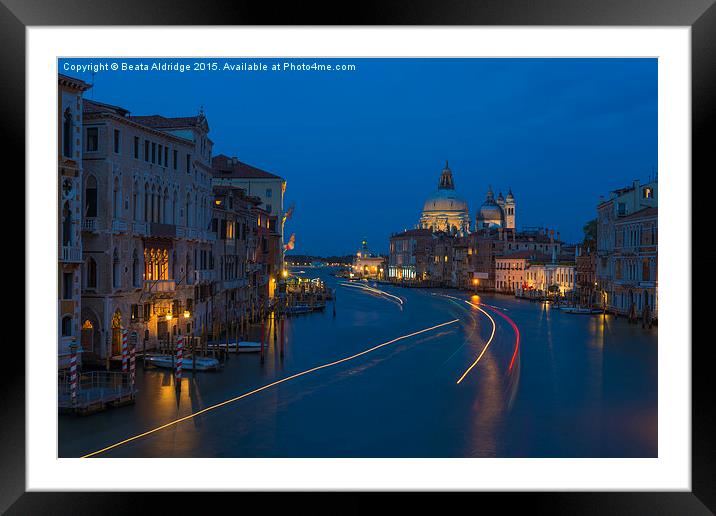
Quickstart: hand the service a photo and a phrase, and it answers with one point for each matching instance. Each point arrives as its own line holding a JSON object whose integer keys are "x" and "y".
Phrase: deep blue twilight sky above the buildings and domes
{"x": 362, "y": 150}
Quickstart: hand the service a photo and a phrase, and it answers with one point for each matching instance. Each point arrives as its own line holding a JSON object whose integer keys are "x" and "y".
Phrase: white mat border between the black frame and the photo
{"x": 670, "y": 471}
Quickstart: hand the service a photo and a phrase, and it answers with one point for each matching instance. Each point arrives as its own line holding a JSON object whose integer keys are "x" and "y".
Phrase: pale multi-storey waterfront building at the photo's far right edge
{"x": 635, "y": 262}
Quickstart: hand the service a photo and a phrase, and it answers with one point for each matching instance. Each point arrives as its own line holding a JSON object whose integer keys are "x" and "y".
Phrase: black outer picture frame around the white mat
{"x": 699, "y": 15}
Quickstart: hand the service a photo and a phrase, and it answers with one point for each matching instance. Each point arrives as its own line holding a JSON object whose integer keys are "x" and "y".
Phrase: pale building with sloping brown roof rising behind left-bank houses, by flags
{"x": 270, "y": 188}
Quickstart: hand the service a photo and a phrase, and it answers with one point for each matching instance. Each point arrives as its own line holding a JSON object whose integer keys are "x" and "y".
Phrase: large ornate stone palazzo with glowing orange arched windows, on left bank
{"x": 146, "y": 214}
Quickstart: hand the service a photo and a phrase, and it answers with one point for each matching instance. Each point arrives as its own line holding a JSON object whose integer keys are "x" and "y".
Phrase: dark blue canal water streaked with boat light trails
{"x": 570, "y": 386}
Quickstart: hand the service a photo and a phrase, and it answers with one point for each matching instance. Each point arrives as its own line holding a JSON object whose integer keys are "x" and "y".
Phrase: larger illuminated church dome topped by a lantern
{"x": 445, "y": 210}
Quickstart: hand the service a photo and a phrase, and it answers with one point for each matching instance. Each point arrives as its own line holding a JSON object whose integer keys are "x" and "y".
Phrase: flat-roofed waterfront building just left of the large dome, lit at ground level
{"x": 411, "y": 253}
